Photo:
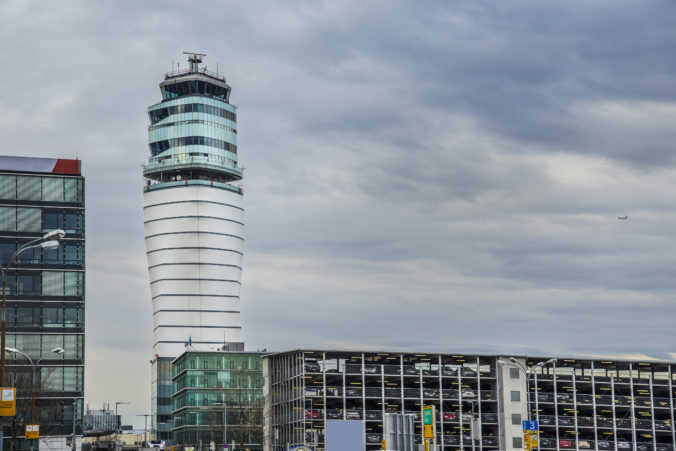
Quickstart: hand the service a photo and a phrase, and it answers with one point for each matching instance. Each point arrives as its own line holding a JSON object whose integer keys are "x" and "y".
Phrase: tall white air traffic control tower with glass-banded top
{"x": 193, "y": 220}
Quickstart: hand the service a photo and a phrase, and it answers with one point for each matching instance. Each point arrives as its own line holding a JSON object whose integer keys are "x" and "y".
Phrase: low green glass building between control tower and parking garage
{"x": 202, "y": 383}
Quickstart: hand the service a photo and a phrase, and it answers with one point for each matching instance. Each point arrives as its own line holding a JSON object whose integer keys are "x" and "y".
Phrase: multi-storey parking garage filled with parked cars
{"x": 579, "y": 403}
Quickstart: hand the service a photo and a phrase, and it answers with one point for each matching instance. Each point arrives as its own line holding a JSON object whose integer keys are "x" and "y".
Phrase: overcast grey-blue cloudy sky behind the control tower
{"x": 430, "y": 176}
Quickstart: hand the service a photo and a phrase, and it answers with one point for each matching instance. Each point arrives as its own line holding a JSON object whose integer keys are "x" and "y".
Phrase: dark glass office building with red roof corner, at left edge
{"x": 45, "y": 295}
